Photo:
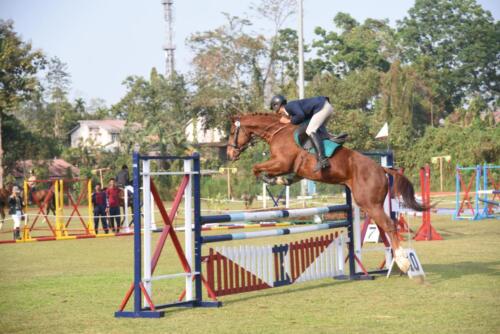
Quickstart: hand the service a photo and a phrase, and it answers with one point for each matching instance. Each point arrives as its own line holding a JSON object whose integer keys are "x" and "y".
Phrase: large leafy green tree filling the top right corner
{"x": 455, "y": 42}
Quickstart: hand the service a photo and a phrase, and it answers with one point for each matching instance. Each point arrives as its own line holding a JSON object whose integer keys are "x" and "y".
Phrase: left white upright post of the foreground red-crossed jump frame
{"x": 146, "y": 197}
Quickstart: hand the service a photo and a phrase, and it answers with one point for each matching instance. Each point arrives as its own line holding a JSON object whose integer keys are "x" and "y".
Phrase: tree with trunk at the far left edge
{"x": 19, "y": 65}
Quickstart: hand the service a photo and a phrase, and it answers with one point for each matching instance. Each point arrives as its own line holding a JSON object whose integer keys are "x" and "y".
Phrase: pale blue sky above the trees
{"x": 104, "y": 41}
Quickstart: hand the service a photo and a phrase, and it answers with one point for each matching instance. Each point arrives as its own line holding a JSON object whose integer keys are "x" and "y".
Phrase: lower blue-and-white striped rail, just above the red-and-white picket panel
{"x": 271, "y": 233}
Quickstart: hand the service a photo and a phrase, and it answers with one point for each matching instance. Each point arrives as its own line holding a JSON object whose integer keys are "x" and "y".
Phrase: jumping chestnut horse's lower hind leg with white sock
{"x": 385, "y": 223}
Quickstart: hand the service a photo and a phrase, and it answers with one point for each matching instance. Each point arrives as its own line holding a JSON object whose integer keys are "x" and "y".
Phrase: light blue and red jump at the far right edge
{"x": 486, "y": 195}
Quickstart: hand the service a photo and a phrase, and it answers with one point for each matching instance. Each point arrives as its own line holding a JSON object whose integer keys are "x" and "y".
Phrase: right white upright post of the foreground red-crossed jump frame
{"x": 188, "y": 226}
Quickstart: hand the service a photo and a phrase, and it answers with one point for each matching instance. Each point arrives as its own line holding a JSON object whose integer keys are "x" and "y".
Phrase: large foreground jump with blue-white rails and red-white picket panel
{"x": 228, "y": 270}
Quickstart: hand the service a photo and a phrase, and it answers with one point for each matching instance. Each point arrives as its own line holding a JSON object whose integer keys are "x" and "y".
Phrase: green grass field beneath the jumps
{"x": 76, "y": 286}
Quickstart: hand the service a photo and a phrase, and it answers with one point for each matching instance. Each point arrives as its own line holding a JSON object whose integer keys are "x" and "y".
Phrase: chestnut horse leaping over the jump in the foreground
{"x": 364, "y": 177}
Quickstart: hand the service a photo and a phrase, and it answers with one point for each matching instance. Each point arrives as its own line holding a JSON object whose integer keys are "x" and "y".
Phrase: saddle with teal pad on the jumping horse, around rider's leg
{"x": 330, "y": 142}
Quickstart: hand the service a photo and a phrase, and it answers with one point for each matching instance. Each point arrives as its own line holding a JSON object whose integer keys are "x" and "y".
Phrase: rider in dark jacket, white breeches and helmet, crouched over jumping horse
{"x": 317, "y": 109}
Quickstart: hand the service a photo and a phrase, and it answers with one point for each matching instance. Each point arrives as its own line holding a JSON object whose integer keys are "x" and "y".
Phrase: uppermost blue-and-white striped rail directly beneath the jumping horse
{"x": 272, "y": 214}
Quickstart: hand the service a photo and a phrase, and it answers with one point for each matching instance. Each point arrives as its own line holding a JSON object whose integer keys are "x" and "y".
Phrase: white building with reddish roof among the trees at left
{"x": 99, "y": 133}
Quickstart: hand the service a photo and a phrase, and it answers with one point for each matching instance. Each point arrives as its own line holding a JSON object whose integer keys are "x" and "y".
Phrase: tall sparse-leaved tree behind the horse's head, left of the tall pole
{"x": 226, "y": 62}
